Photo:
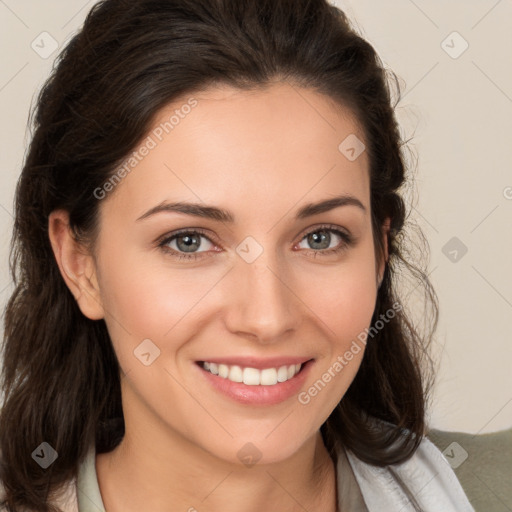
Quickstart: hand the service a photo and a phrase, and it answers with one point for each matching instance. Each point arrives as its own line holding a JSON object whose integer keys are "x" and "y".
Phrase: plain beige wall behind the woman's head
{"x": 457, "y": 106}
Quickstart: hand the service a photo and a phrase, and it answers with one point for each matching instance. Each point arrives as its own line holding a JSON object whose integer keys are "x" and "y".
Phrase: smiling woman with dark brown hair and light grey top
{"x": 207, "y": 244}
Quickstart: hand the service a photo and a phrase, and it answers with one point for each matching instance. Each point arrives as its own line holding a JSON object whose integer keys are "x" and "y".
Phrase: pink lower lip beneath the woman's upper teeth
{"x": 258, "y": 395}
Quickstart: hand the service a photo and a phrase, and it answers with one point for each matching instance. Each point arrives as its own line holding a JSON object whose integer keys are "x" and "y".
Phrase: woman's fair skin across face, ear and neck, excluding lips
{"x": 261, "y": 155}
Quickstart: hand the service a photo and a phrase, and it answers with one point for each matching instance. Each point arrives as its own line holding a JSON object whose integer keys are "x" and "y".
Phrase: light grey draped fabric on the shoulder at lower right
{"x": 425, "y": 482}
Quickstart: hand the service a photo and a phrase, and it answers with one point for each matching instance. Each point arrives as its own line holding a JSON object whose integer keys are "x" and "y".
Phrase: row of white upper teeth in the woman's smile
{"x": 253, "y": 376}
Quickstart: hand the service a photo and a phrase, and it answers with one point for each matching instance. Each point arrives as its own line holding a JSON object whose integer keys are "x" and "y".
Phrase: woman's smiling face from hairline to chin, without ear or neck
{"x": 257, "y": 278}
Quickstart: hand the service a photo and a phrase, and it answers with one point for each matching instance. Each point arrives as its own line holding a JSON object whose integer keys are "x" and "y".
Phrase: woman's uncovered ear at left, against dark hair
{"x": 76, "y": 265}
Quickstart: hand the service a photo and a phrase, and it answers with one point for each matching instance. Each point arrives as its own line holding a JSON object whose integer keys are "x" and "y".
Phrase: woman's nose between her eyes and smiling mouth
{"x": 262, "y": 304}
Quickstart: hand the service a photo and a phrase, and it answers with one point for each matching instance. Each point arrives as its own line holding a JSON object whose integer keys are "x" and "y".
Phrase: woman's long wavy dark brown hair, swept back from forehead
{"x": 61, "y": 379}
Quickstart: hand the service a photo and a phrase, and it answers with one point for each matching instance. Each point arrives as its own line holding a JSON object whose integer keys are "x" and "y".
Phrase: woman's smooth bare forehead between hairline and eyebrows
{"x": 230, "y": 146}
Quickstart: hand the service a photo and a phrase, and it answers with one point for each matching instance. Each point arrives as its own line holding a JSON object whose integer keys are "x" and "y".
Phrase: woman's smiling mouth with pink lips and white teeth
{"x": 256, "y": 382}
